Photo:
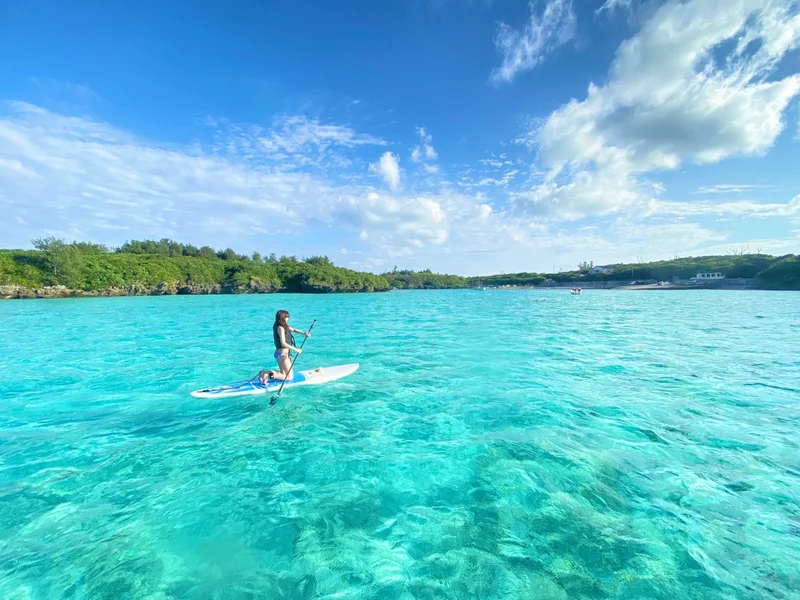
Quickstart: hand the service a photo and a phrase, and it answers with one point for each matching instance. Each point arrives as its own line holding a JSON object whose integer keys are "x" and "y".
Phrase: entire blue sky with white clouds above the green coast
{"x": 463, "y": 136}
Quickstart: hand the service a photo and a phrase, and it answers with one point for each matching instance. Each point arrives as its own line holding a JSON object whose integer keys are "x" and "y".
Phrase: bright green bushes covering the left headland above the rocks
{"x": 82, "y": 266}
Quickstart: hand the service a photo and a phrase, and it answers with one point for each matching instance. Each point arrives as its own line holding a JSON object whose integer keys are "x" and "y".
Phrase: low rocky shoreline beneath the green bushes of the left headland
{"x": 19, "y": 292}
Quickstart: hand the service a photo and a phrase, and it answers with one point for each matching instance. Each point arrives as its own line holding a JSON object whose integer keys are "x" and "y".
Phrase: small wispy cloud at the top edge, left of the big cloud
{"x": 551, "y": 24}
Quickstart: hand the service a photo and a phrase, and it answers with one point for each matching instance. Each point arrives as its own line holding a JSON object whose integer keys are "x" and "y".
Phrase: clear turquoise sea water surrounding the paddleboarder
{"x": 494, "y": 444}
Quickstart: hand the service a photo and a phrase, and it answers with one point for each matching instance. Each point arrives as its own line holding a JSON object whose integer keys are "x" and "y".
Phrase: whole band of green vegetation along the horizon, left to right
{"x": 149, "y": 263}
